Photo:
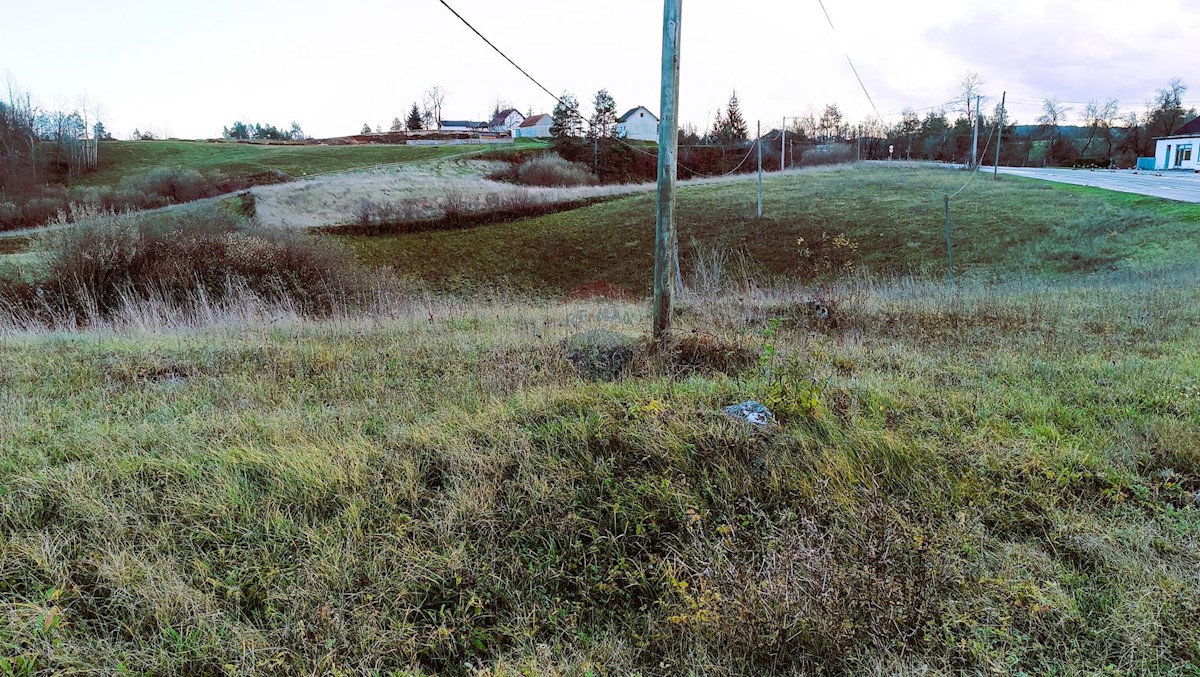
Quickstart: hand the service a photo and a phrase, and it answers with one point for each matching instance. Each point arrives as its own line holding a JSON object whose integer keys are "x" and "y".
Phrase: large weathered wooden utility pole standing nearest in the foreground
{"x": 669, "y": 152}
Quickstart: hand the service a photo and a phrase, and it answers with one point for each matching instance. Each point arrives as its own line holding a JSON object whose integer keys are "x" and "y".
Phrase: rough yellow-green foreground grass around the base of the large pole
{"x": 983, "y": 482}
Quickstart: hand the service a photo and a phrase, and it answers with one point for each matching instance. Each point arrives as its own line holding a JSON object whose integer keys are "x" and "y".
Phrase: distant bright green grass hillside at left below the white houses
{"x": 123, "y": 159}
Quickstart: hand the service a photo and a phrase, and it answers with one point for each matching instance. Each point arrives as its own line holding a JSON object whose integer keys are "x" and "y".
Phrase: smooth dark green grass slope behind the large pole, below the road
{"x": 893, "y": 223}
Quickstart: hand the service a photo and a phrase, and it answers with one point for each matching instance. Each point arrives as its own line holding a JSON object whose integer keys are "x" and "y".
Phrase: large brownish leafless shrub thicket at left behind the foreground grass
{"x": 95, "y": 269}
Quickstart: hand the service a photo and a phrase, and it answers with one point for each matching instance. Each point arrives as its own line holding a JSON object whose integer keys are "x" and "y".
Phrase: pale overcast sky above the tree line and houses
{"x": 190, "y": 68}
